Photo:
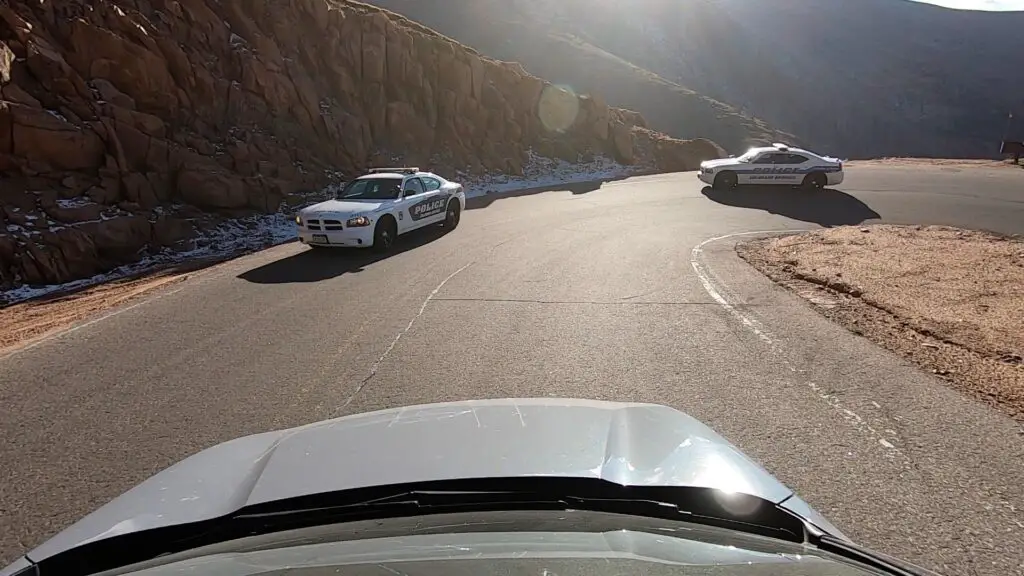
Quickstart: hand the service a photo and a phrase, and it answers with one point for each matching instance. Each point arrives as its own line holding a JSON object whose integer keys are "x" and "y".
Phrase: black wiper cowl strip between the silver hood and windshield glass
{"x": 698, "y": 506}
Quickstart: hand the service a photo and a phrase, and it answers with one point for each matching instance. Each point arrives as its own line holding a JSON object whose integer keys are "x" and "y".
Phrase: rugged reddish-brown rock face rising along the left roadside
{"x": 122, "y": 119}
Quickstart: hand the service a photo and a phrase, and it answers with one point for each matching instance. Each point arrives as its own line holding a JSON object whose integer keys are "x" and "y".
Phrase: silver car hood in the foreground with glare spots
{"x": 628, "y": 444}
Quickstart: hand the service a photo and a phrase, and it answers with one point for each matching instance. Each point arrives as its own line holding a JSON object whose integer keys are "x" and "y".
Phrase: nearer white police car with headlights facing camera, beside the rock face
{"x": 374, "y": 210}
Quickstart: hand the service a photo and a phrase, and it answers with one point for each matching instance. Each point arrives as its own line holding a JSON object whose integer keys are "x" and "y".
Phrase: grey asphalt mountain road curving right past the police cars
{"x": 595, "y": 292}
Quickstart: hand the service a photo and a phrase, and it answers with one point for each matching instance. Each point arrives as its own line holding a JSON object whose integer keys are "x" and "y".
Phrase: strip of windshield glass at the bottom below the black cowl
{"x": 513, "y": 543}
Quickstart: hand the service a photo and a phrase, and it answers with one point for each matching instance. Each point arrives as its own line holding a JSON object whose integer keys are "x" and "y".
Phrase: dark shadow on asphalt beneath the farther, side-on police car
{"x": 828, "y": 208}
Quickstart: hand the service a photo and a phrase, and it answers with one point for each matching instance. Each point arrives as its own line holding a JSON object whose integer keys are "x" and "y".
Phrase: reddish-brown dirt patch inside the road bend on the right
{"x": 951, "y": 301}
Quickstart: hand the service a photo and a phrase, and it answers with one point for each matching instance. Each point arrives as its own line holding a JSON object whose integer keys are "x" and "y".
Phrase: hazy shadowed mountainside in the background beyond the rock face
{"x": 858, "y": 79}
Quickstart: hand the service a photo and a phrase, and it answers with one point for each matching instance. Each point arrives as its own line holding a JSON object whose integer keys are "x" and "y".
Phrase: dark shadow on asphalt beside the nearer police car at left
{"x": 316, "y": 266}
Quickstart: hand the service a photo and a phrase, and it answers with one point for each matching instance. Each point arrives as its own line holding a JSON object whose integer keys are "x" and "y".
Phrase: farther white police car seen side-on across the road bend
{"x": 778, "y": 164}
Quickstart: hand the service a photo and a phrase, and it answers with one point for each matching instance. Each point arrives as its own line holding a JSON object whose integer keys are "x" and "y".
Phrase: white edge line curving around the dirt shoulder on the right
{"x": 705, "y": 276}
